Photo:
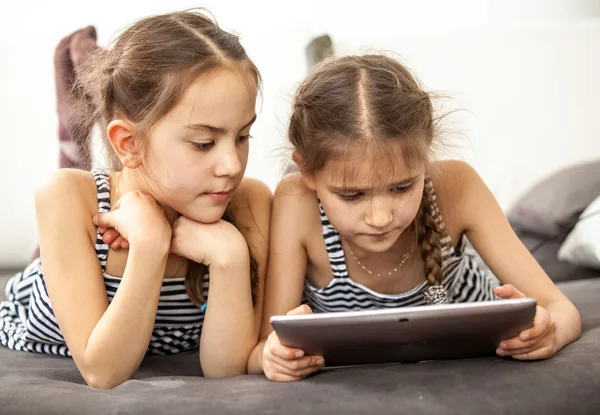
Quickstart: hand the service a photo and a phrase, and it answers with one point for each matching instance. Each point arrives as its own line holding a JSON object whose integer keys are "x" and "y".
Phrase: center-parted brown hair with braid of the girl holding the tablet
{"x": 365, "y": 102}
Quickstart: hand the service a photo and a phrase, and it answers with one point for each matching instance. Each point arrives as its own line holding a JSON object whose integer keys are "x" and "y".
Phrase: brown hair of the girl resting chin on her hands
{"x": 144, "y": 75}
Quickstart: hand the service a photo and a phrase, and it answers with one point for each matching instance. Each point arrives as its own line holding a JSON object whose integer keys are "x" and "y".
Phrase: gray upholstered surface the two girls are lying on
{"x": 567, "y": 383}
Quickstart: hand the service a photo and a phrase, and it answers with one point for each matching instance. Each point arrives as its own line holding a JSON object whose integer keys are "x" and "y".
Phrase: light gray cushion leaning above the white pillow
{"x": 554, "y": 204}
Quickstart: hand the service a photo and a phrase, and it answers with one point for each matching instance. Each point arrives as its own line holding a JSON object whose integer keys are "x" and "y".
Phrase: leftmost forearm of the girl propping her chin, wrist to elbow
{"x": 119, "y": 341}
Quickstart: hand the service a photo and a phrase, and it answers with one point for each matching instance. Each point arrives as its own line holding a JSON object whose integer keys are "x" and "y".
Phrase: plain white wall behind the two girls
{"x": 525, "y": 73}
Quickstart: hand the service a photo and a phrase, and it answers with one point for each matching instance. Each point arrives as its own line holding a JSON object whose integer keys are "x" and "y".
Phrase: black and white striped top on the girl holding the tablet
{"x": 464, "y": 278}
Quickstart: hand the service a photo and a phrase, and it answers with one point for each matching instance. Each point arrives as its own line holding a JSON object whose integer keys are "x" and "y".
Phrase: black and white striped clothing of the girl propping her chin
{"x": 27, "y": 322}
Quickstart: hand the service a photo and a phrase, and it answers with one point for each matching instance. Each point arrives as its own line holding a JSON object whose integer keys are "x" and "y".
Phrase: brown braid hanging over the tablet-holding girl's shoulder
{"x": 431, "y": 233}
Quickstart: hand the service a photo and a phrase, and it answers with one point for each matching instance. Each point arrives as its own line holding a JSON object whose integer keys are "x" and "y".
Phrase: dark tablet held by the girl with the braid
{"x": 408, "y": 334}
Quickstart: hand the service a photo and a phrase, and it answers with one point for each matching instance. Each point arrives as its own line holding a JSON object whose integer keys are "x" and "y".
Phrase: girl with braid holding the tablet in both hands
{"x": 370, "y": 221}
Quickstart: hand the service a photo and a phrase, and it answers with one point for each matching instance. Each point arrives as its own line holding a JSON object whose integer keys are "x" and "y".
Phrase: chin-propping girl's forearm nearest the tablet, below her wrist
{"x": 229, "y": 332}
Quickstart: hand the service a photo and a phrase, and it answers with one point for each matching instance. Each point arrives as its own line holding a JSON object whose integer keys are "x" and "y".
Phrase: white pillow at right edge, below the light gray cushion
{"x": 582, "y": 245}
